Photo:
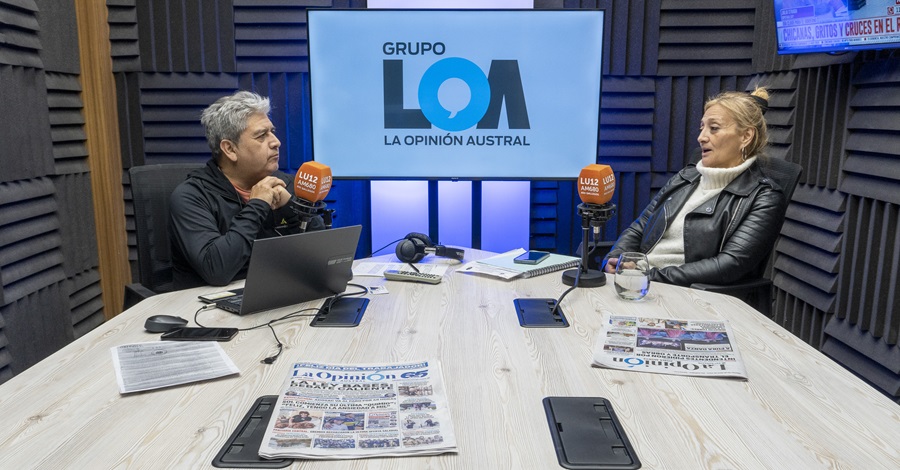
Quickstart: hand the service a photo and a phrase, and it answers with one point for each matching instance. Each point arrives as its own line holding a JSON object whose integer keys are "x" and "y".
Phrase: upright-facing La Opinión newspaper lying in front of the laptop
{"x": 331, "y": 411}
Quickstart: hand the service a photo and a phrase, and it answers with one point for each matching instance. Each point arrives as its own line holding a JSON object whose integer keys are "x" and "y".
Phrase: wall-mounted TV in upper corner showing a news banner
{"x": 836, "y": 25}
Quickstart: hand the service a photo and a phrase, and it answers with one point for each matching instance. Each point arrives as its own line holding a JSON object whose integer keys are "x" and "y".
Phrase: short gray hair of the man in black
{"x": 226, "y": 119}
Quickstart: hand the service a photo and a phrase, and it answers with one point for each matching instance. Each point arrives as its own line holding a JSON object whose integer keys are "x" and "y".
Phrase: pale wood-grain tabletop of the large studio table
{"x": 798, "y": 409}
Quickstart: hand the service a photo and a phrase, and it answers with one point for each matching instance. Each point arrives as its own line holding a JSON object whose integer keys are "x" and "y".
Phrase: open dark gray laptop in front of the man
{"x": 297, "y": 268}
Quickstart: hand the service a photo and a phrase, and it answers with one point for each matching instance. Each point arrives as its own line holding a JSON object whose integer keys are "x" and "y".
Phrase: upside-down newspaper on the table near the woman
{"x": 700, "y": 348}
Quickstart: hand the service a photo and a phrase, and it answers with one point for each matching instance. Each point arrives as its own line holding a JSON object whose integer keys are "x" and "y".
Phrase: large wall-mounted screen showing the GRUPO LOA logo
{"x": 455, "y": 94}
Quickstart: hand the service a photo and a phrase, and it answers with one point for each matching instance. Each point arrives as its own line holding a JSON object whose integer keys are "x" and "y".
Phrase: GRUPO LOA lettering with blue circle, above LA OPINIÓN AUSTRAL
{"x": 454, "y": 93}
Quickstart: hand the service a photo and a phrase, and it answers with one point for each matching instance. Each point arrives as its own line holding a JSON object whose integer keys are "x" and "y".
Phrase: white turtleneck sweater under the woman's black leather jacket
{"x": 670, "y": 249}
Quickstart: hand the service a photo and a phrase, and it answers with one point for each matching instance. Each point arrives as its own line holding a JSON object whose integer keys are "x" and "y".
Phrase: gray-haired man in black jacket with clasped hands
{"x": 238, "y": 197}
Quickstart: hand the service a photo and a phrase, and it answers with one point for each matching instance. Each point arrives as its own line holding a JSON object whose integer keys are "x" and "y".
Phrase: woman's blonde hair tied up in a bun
{"x": 747, "y": 111}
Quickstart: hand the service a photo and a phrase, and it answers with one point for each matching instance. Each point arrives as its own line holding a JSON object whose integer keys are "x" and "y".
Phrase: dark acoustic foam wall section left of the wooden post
{"x": 49, "y": 278}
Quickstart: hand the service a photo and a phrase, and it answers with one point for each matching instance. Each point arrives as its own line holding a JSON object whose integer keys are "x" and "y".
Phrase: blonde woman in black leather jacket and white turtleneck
{"x": 714, "y": 222}
